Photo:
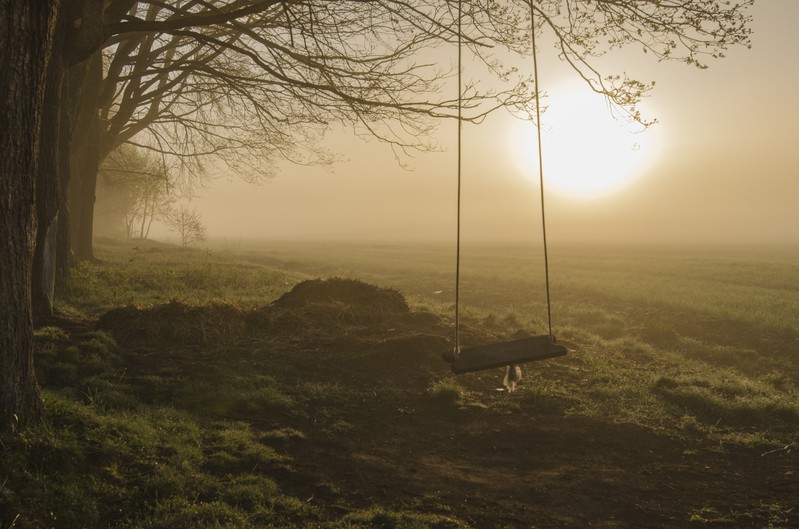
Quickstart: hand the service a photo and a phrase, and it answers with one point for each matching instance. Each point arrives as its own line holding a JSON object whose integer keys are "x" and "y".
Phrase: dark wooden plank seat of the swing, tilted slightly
{"x": 502, "y": 354}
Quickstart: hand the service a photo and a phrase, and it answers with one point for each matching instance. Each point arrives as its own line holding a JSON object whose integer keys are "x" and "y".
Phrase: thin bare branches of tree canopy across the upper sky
{"x": 241, "y": 78}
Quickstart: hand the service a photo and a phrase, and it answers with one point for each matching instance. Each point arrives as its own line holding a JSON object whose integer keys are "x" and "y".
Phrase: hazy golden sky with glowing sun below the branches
{"x": 721, "y": 166}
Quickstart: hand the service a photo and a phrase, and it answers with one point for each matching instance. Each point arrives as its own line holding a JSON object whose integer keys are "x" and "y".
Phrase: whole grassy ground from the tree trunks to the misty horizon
{"x": 198, "y": 407}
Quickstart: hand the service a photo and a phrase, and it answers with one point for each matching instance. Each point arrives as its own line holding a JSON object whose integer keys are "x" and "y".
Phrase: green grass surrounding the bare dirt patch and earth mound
{"x": 685, "y": 341}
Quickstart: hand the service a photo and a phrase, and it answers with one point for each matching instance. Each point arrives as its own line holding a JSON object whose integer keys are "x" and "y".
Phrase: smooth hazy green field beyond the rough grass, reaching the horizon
{"x": 657, "y": 292}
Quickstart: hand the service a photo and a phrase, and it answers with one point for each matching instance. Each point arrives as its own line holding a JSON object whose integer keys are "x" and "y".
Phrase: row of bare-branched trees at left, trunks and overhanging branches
{"x": 248, "y": 82}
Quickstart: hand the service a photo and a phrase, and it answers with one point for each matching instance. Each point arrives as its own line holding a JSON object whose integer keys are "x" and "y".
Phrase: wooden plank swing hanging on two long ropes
{"x": 516, "y": 351}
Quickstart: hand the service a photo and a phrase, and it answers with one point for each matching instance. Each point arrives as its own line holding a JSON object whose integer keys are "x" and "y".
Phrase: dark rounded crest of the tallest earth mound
{"x": 347, "y": 291}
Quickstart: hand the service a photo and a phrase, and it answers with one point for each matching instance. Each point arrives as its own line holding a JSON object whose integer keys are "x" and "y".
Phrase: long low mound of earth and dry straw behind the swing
{"x": 332, "y": 306}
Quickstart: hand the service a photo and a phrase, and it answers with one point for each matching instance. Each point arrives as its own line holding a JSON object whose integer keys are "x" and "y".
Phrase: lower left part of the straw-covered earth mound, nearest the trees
{"x": 175, "y": 324}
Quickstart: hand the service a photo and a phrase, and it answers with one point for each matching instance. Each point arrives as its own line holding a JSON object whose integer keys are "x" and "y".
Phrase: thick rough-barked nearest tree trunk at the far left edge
{"x": 26, "y": 38}
